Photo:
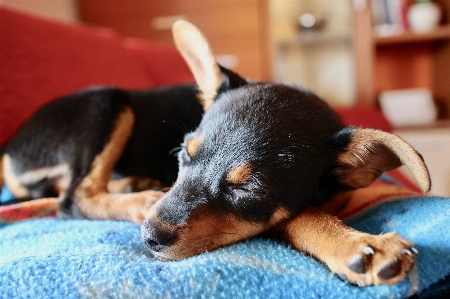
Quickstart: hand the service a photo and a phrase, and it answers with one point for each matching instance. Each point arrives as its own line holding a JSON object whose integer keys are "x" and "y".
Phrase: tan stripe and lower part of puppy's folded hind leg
{"x": 91, "y": 195}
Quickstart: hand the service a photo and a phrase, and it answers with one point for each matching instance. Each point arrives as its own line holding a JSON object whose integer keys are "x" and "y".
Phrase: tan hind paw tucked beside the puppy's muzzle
{"x": 138, "y": 204}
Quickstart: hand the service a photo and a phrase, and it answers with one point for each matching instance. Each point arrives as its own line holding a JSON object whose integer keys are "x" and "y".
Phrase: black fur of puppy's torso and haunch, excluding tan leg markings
{"x": 75, "y": 129}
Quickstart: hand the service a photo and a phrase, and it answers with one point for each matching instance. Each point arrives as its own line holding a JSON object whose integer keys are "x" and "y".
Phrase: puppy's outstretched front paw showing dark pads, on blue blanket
{"x": 375, "y": 260}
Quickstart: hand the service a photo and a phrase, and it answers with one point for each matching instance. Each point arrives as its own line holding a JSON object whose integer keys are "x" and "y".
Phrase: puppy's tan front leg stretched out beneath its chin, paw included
{"x": 358, "y": 257}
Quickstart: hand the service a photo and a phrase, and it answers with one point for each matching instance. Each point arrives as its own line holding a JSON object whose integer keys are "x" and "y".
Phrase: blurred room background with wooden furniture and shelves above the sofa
{"x": 392, "y": 55}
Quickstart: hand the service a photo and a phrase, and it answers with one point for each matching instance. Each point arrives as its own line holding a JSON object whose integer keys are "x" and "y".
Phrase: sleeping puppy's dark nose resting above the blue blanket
{"x": 156, "y": 239}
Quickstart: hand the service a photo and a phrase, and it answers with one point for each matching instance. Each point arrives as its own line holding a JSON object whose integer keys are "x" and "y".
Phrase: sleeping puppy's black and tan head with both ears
{"x": 261, "y": 154}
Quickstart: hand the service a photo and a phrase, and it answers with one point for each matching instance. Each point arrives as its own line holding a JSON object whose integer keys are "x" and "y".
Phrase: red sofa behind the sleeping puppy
{"x": 41, "y": 60}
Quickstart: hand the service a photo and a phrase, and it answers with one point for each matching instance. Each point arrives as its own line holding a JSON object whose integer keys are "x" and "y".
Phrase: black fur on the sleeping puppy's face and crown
{"x": 288, "y": 136}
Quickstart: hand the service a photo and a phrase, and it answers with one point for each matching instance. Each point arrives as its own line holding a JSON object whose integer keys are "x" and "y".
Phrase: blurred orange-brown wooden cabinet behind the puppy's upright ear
{"x": 237, "y": 30}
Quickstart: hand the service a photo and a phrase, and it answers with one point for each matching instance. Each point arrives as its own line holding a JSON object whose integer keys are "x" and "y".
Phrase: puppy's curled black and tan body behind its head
{"x": 71, "y": 146}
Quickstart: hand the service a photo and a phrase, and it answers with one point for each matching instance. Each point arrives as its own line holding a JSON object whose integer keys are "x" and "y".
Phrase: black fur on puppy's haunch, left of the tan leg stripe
{"x": 58, "y": 133}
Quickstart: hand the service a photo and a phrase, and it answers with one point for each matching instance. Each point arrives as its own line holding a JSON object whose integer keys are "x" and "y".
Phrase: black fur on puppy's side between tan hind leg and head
{"x": 163, "y": 117}
